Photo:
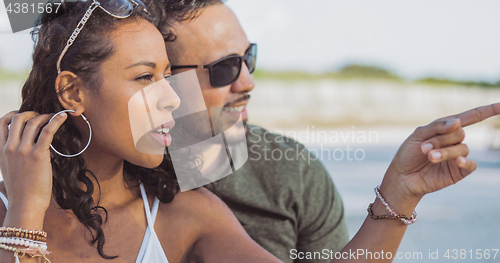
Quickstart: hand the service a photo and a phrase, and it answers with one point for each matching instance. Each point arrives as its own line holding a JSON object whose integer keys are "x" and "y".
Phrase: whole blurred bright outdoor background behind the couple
{"x": 331, "y": 71}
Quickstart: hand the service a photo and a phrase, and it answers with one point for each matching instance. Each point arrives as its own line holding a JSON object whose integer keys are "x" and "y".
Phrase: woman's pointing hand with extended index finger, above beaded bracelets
{"x": 432, "y": 158}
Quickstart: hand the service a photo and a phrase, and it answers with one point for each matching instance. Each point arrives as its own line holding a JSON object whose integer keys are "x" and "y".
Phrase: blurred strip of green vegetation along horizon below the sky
{"x": 365, "y": 72}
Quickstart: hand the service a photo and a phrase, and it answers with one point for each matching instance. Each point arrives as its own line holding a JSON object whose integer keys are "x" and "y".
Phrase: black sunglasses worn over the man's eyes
{"x": 226, "y": 71}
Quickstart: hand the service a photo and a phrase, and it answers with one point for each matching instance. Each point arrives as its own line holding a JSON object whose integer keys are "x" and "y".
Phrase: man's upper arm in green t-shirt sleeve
{"x": 321, "y": 222}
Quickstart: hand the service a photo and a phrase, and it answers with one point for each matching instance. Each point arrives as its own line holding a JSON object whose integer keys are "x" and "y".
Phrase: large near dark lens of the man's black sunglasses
{"x": 226, "y": 71}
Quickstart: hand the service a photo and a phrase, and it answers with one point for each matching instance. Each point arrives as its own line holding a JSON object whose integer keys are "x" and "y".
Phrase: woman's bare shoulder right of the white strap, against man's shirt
{"x": 213, "y": 230}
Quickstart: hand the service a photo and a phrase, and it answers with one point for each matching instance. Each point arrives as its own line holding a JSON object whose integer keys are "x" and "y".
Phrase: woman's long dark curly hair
{"x": 72, "y": 184}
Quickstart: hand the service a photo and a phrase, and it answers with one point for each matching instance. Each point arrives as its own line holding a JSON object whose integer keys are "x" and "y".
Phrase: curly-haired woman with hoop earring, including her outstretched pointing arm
{"x": 101, "y": 191}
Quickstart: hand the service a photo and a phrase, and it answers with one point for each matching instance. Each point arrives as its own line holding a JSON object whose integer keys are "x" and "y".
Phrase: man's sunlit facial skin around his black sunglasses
{"x": 215, "y": 34}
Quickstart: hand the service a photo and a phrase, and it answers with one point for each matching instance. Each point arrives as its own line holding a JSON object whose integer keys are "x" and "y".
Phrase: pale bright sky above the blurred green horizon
{"x": 451, "y": 38}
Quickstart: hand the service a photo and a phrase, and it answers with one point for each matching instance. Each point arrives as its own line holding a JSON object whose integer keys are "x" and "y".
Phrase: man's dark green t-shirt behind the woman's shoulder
{"x": 284, "y": 199}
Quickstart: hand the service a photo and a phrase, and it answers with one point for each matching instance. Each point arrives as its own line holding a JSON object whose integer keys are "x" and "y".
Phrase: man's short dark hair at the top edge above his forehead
{"x": 170, "y": 11}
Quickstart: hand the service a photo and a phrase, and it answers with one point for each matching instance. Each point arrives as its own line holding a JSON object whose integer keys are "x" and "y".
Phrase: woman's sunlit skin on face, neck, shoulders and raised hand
{"x": 189, "y": 227}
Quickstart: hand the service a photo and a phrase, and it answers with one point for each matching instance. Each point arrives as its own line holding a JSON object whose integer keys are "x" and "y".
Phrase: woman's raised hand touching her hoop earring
{"x": 24, "y": 163}
